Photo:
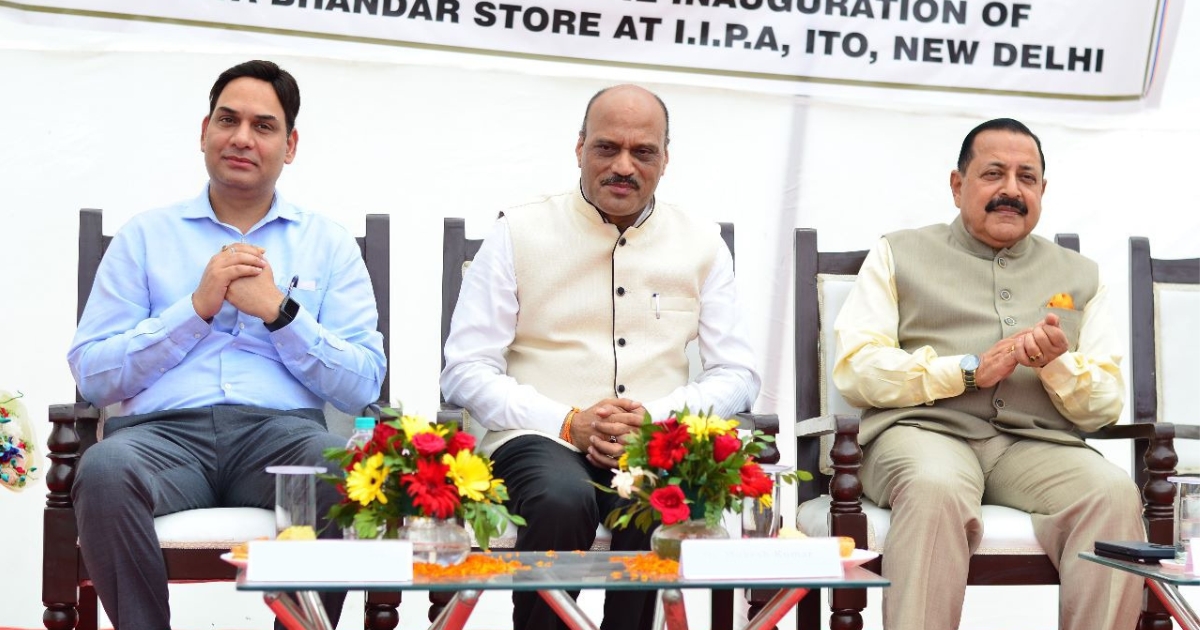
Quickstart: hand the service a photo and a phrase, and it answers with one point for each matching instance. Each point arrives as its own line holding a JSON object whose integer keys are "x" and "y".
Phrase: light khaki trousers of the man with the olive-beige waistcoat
{"x": 935, "y": 485}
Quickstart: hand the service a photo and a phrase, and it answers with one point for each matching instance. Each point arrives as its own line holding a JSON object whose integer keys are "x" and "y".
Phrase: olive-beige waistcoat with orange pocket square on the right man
{"x": 959, "y": 297}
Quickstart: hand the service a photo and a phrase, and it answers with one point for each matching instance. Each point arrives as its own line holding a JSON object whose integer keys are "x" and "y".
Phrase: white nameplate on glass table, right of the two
{"x": 764, "y": 559}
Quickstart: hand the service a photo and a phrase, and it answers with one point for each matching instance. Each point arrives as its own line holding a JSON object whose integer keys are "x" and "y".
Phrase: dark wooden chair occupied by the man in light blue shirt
{"x": 193, "y": 541}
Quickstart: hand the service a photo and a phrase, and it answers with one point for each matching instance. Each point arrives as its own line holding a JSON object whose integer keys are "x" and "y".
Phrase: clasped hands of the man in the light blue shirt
{"x": 241, "y": 275}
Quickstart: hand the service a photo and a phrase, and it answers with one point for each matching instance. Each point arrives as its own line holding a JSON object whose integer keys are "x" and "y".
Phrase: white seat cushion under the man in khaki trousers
{"x": 1005, "y": 531}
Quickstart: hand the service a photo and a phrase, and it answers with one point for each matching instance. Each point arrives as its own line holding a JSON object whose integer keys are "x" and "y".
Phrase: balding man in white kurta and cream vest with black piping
{"x": 572, "y": 327}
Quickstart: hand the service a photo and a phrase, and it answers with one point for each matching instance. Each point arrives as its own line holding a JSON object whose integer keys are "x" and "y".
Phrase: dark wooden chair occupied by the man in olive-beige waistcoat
{"x": 833, "y": 503}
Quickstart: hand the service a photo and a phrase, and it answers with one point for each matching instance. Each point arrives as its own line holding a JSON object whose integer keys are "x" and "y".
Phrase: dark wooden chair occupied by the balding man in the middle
{"x": 458, "y": 251}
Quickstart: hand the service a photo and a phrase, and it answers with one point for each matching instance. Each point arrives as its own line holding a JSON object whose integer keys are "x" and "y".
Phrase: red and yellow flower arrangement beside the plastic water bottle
{"x": 412, "y": 467}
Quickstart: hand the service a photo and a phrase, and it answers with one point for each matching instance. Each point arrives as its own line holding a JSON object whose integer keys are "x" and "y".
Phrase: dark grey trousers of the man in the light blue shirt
{"x": 165, "y": 463}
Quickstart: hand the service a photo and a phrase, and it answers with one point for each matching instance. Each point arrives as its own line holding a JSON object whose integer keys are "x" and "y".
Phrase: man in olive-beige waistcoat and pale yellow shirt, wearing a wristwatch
{"x": 981, "y": 352}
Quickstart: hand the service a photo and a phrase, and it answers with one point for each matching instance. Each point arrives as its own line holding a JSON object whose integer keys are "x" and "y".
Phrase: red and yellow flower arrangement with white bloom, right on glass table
{"x": 691, "y": 467}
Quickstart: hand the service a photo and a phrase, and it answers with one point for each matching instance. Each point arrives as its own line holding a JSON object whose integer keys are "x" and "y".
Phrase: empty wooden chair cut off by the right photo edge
{"x": 1165, "y": 322}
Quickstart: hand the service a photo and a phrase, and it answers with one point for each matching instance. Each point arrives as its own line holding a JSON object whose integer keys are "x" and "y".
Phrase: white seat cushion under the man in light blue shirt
{"x": 214, "y": 529}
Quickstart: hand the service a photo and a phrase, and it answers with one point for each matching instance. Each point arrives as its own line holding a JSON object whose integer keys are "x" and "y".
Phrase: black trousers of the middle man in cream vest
{"x": 549, "y": 485}
